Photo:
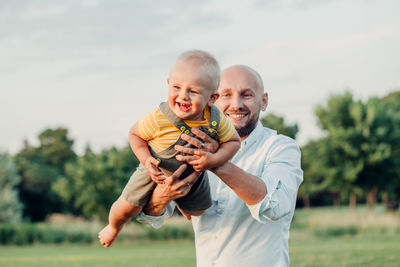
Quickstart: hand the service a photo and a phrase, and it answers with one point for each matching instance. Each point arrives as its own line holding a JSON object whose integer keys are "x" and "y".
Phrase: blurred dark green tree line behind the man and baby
{"x": 357, "y": 159}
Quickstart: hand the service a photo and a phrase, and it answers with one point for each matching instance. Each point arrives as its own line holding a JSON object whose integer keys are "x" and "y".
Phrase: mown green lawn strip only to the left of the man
{"x": 178, "y": 253}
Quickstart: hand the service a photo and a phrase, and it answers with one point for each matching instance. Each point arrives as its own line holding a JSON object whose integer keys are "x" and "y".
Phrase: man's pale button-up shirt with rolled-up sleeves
{"x": 231, "y": 233}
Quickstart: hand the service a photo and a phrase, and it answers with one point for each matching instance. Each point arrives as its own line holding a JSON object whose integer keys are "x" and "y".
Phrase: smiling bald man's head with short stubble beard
{"x": 241, "y": 98}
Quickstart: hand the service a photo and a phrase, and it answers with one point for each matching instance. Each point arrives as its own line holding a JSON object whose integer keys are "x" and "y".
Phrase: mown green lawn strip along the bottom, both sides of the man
{"x": 342, "y": 251}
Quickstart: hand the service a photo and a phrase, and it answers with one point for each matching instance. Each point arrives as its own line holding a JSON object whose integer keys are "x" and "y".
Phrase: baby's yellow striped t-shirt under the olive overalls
{"x": 160, "y": 133}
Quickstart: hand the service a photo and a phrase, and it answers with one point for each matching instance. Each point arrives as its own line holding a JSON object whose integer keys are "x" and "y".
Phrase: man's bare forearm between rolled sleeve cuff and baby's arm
{"x": 251, "y": 189}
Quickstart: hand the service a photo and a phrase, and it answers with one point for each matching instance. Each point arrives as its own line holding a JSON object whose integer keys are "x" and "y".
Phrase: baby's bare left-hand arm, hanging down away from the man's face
{"x": 141, "y": 150}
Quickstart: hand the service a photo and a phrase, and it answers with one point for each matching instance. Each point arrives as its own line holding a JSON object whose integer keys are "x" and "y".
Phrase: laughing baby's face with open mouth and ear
{"x": 190, "y": 90}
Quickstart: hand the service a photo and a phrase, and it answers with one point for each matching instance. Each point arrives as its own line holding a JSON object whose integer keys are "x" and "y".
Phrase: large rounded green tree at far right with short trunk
{"x": 359, "y": 138}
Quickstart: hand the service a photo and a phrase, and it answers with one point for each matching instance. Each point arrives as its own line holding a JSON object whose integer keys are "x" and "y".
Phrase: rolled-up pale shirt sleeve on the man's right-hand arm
{"x": 282, "y": 175}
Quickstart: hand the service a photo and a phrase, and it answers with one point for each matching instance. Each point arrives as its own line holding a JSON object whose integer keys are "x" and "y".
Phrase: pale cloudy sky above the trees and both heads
{"x": 95, "y": 67}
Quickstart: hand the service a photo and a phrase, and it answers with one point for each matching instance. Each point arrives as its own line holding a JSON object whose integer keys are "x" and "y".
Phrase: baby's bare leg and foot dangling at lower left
{"x": 121, "y": 212}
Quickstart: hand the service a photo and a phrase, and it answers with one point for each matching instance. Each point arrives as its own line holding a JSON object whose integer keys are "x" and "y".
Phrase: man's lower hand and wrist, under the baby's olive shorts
{"x": 173, "y": 188}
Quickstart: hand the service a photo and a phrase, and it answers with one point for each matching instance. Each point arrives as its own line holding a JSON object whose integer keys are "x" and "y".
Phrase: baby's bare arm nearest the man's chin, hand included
{"x": 206, "y": 161}
